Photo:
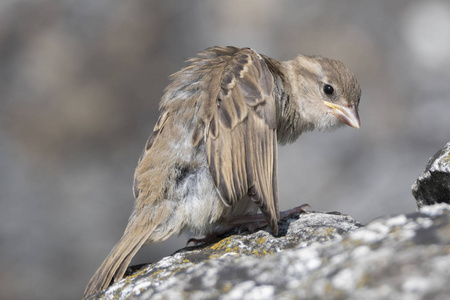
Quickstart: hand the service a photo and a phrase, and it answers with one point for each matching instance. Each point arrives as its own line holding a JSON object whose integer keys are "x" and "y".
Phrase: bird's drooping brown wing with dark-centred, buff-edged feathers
{"x": 241, "y": 139}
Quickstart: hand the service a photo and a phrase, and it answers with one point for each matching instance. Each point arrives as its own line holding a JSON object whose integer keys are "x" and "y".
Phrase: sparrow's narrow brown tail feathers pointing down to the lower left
{"x": 114, "y": 266}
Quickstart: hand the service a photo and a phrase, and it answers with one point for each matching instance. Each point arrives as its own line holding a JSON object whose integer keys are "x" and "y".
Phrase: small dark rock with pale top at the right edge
{"x": 433, "y": 185}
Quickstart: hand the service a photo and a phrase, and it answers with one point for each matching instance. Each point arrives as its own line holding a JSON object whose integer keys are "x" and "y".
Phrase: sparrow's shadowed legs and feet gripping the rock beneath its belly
{"x": 249, "y": 222}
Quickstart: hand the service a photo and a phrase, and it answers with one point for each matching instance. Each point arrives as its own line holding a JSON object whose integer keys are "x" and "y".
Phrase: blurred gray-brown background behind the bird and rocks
{"x": 80, "y": 83}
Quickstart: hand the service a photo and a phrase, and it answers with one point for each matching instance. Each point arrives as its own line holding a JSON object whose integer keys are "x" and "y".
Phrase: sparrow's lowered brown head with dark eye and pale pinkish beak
{"x": 327, "y": 94}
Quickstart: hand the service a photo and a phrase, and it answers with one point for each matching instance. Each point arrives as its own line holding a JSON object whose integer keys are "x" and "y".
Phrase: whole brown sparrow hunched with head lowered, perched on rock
{"x": 212, "y": 156}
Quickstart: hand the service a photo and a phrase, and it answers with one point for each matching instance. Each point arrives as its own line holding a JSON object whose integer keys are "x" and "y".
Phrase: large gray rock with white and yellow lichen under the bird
{"x": 316, "y": 256}
